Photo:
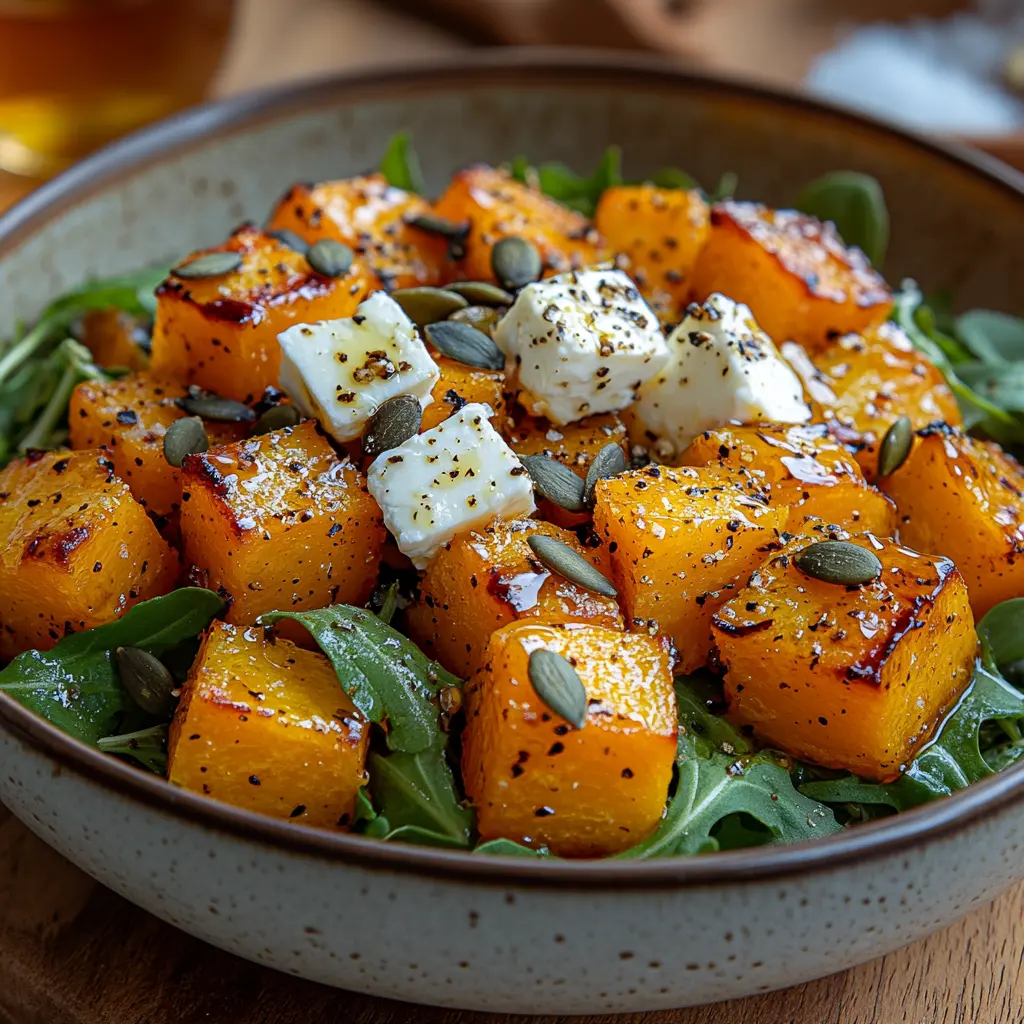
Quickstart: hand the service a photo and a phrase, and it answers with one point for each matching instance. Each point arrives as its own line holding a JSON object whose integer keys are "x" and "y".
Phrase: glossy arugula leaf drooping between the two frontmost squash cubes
{"x": 391, "y": 680}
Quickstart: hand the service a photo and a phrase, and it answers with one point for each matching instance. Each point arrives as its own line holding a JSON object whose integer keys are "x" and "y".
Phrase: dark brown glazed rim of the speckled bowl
{"x": 488, "y": 68}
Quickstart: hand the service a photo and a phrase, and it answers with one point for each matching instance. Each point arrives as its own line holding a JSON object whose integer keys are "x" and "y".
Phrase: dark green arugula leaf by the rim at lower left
{"x": 76, "y": 686}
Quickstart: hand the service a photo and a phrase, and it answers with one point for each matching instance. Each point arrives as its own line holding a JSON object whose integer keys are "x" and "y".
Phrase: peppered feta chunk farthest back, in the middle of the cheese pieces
{"x": 581, "y": 344}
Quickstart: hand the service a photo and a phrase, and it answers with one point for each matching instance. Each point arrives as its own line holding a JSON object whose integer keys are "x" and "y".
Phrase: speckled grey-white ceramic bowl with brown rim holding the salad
{"x": 456, "y": 929}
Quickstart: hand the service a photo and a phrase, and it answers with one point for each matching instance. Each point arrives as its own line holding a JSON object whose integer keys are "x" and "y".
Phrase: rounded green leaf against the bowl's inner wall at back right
{"x": 857, "y": 205}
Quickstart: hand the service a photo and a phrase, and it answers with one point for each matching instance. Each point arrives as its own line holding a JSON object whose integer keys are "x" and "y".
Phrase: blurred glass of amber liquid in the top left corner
{"x": 75, "y": 74}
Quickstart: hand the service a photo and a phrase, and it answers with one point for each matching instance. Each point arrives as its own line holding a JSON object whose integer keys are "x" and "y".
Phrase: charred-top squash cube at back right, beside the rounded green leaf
{"x": 794, "y": 272}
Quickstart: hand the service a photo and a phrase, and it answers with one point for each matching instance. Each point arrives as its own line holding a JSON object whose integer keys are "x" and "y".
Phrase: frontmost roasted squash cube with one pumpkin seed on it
{"x": 538, "y": 781}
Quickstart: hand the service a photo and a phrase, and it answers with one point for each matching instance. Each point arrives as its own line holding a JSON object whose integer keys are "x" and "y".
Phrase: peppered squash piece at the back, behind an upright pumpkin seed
{"x": 495, "y": 205}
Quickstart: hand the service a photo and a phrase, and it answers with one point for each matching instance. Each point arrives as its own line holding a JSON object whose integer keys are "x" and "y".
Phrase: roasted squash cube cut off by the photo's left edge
{"x": 78, "y": 551}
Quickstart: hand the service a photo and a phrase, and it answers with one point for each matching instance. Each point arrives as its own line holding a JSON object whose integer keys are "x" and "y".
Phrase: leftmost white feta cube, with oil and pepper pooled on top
{"x": 339, "y": 372}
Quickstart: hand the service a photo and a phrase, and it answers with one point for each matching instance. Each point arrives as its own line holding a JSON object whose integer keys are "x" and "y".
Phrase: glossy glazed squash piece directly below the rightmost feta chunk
{"x": 800, "y": 466}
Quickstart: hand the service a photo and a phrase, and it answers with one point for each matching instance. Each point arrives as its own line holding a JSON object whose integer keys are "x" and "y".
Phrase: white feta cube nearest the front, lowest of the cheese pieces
{"x": 456, "y": 478}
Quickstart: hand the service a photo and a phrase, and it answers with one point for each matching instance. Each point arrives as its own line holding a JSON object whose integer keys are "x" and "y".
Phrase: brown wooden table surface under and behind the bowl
{"x": 71, "y": 952}
